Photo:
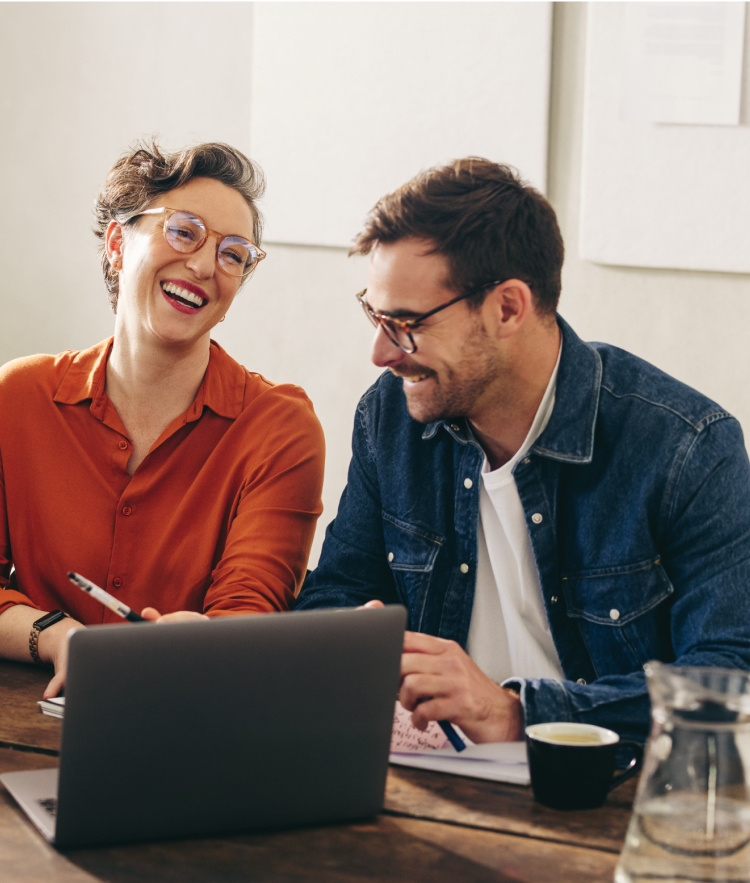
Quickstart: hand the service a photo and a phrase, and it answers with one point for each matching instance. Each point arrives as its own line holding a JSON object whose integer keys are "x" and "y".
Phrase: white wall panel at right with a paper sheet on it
{"x": 656, "y": 194}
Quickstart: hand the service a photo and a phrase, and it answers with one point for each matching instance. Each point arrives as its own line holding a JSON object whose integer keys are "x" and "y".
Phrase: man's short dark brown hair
{"x": 488, "y": 222}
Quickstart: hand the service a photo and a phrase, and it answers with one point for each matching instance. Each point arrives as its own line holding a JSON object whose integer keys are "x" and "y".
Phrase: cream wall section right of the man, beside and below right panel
{"x": 695, "y": 325}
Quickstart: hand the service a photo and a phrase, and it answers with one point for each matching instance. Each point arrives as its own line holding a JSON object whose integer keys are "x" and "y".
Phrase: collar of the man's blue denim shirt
{"x": 569, "y": 435}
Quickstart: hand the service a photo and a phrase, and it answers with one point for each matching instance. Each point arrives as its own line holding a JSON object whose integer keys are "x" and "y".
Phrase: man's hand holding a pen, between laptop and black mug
{"x": 439, "y": 681}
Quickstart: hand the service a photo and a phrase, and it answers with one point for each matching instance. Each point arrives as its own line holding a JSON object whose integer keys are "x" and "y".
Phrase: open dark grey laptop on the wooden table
{"x": 239, "y": 724}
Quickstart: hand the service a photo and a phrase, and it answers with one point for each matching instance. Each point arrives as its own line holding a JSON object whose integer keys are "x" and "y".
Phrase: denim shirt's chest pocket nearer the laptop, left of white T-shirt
{"x": 411, "y": 552}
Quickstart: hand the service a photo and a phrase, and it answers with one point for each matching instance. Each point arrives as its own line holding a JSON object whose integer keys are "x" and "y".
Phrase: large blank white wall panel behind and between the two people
{"x": 350, "y": 100}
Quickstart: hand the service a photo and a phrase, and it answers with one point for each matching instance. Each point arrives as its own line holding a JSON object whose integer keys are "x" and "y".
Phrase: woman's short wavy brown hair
{"x": 143, "y": 173}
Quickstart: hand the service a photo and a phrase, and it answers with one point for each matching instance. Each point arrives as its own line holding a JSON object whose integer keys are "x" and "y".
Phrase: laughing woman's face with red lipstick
{"x": 164, "y": 294}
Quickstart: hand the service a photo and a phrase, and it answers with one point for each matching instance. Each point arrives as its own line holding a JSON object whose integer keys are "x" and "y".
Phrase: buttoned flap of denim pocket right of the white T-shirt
{"x": 616, "y": 595}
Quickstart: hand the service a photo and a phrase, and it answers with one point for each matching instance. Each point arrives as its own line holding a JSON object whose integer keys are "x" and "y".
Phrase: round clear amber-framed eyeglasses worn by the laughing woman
{"x": 186, "y": 233}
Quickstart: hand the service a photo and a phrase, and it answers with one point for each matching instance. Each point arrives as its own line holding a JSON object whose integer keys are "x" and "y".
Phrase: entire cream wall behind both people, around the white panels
{"x": 72, "y": 101}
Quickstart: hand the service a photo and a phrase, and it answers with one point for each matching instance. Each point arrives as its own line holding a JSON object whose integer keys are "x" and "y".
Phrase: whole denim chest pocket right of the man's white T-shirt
{"x": 622, "y": 614}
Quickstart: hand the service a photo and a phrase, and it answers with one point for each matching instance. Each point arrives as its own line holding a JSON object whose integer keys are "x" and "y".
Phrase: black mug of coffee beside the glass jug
{"x": 572, "y": 766}
